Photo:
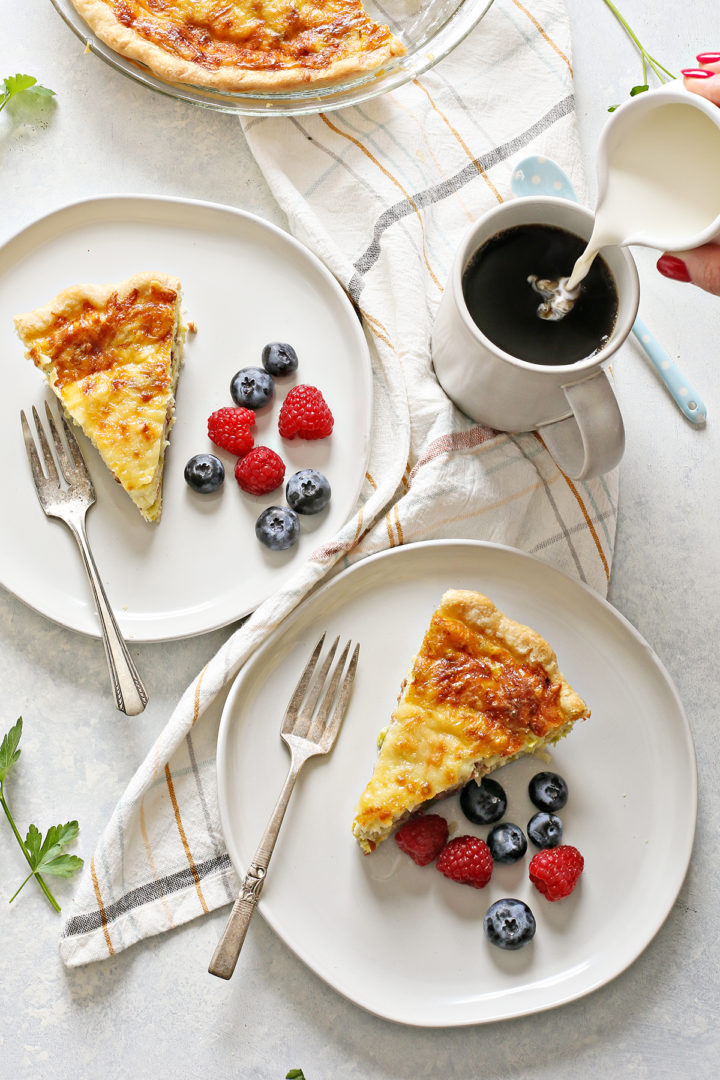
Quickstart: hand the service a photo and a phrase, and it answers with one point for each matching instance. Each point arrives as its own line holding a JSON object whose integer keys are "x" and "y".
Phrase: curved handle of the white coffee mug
{"x": 592, "y": 441}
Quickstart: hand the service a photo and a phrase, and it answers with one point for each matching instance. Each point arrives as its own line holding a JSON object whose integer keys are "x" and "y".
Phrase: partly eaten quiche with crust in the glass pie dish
{"x": 244, "y": 45}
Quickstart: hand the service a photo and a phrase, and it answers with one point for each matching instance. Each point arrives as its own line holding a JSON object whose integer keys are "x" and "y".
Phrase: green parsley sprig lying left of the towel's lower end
{"x": 44, "y": 856}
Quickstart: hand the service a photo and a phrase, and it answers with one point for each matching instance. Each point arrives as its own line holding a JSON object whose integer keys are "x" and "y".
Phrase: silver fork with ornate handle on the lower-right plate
{"x": 307, "y": 735}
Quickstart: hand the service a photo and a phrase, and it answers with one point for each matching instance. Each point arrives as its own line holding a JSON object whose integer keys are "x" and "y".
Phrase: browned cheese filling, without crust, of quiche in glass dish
{"x": 255, "y": 35}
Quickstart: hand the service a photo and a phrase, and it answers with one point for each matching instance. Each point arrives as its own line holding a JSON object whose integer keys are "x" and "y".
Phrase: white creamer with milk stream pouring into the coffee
{"x": 659, "y": 175}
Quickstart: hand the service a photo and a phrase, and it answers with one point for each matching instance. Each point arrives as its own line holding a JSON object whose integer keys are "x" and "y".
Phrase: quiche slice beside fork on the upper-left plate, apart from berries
{"x": 113, "y": 355}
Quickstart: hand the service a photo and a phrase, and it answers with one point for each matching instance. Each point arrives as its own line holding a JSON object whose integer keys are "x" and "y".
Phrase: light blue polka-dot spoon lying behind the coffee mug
{"x": 542, "y": 177}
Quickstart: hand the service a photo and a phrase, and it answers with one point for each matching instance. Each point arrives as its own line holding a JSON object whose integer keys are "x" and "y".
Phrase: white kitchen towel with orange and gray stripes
{"x": 383, "y": 194}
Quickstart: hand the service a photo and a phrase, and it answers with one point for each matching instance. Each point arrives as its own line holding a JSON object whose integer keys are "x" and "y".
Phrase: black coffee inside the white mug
{"x": 505, "y": 305}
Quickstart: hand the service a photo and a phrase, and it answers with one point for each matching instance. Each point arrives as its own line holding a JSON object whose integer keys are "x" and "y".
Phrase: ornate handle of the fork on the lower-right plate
{"x": 226, "y": 955}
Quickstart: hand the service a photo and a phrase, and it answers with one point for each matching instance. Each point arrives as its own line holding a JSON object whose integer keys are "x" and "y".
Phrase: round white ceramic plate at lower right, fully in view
{"x": 401, "y": 940}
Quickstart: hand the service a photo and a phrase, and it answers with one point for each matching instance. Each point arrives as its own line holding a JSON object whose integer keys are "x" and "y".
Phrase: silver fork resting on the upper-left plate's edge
{"x": 71, "y": 505}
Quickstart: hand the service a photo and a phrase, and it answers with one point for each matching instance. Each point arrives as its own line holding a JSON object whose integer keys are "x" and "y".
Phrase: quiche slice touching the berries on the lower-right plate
{"x": 483, "y": 691}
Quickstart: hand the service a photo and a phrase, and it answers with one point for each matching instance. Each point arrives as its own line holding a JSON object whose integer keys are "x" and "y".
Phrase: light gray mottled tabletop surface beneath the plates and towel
{"x": 154, "y": 1010}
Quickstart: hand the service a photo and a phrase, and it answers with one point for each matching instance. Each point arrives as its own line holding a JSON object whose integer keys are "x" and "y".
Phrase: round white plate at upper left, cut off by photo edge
{"x": 246, "y": 283}
